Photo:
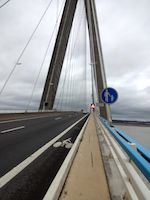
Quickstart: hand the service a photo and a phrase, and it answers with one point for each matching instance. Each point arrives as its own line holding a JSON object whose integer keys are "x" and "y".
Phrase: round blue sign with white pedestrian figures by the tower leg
{"x": 109, "y": 95}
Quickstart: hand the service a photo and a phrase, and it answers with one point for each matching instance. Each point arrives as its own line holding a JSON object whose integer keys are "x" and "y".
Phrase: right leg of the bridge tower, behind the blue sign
{"x": 96, "y": 55}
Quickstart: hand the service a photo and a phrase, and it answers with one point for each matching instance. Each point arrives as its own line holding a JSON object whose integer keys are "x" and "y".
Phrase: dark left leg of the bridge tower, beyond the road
{"x": 58, "y": 55}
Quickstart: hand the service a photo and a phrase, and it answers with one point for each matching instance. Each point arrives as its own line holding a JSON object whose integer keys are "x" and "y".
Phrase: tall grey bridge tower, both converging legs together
{"x": 52, "y": 80}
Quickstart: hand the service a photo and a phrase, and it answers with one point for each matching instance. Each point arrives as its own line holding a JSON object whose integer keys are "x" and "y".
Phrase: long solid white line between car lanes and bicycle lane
{"x": 16, "y": 170}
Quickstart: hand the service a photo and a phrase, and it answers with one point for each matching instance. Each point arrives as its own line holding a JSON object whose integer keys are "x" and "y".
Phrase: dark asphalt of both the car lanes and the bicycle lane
{"x": 17, "y": 144}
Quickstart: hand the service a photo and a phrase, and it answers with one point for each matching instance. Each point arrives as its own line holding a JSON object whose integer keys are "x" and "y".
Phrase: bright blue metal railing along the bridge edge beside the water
{"x": 141, "y": 156}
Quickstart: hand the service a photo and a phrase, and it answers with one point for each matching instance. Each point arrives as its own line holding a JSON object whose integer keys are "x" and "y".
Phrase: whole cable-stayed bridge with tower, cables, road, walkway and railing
{"x": 64, "y": 149}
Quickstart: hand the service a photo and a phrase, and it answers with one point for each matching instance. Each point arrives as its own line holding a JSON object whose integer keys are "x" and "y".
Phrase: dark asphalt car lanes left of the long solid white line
{"x": 19, "y": 139}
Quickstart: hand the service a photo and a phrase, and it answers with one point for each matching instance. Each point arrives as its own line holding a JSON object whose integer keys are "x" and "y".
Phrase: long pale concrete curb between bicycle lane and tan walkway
{"x": 55, "y": 188}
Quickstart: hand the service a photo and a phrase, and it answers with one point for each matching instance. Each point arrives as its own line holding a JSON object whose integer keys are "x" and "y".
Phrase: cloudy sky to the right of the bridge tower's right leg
{"x": 125, "y": 34}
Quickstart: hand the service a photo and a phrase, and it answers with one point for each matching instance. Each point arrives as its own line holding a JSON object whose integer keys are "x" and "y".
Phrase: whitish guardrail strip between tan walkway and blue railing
{"x": 135, "y": 187}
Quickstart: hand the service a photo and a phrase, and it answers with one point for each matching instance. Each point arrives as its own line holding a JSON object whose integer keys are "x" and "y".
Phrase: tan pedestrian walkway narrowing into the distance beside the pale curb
{"x": 86, "y": 179}
